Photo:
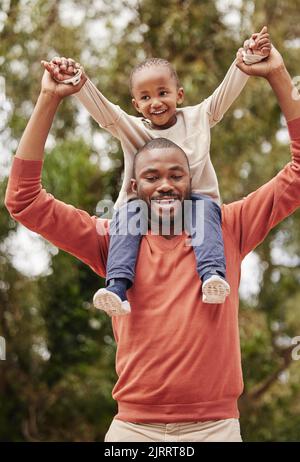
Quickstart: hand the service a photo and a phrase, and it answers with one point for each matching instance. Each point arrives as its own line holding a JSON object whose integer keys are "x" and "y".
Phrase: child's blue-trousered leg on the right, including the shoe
{"x": 203, "y": 222}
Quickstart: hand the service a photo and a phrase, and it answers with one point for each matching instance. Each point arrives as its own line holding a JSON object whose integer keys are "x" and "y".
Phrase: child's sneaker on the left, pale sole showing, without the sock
{"x": 110, "y": 303}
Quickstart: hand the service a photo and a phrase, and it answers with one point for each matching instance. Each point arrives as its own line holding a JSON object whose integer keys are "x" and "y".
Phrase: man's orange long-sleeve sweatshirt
{"x": 177, "y": 359}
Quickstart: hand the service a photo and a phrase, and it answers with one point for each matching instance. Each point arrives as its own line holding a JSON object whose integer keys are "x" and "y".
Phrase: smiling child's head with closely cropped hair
{"x": 156, "y": 95}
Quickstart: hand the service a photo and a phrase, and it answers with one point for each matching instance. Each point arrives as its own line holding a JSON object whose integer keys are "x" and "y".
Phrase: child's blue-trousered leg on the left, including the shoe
{"x": 128, "y": 225}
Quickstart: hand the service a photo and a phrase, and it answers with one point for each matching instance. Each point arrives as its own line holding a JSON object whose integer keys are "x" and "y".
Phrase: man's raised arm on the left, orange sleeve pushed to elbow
{"x": 68, "y": 228}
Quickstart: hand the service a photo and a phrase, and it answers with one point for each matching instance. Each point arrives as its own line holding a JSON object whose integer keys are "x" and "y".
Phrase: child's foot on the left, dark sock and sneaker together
{"x": 113, "y": 299}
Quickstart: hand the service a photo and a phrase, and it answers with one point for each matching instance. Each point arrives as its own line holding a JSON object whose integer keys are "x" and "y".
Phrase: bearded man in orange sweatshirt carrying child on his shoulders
{"x": 178, "y": 359}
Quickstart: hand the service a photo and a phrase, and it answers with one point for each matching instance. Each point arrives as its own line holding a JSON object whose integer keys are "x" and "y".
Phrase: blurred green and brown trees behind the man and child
{"x": 56, "y": 381}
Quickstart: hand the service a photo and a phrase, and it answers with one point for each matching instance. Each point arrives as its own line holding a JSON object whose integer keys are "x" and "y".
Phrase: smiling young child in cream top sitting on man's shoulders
{"x": 156, "y": 92}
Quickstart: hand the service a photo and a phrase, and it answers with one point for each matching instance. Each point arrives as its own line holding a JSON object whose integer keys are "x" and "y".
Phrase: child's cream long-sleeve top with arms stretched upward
{"x": 191, "y": 131}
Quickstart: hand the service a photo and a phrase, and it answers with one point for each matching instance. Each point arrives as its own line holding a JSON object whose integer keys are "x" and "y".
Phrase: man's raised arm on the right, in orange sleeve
{"x": 252, "y": 218}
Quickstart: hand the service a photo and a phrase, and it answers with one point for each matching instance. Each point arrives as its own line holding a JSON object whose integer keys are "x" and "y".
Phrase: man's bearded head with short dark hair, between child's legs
{"x": 163, "y": 181}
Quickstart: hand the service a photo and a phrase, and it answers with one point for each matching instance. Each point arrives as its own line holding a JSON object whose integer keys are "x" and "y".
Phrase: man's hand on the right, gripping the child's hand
{"x": 264, "y": 68}
